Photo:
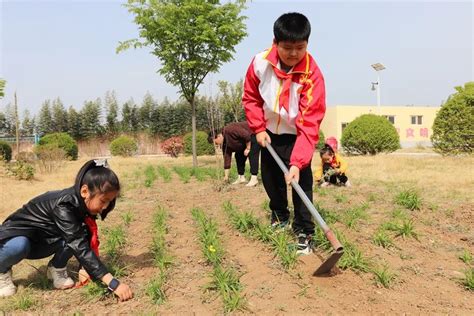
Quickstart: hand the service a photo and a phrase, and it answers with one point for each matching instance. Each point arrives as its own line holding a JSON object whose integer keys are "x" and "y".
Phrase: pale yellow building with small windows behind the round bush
{"x": 413, "y": 123}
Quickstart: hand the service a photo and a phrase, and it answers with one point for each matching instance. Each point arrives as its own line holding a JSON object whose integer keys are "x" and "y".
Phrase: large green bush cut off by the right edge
{"x": 454, "y": 124}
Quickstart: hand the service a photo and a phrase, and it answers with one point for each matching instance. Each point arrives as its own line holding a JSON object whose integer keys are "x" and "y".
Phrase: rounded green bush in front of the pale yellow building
{"x": 370, "y": 134}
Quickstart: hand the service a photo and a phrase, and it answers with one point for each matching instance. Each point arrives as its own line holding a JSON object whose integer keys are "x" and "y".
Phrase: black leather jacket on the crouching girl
{"x": 52, "y": 216}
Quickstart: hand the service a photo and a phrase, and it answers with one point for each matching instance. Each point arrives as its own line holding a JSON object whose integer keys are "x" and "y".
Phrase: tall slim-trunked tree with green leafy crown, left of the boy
{"x": 190, "y": 38}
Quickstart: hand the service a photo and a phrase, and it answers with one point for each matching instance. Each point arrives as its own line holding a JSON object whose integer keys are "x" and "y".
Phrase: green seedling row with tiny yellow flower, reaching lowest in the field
{"x": 225, "y": 279}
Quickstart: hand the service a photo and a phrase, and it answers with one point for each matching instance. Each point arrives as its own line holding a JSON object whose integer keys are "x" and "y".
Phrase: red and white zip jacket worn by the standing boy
{"x": 301, "y": 115}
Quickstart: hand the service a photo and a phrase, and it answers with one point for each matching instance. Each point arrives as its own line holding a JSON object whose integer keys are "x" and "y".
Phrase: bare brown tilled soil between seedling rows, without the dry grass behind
{"x": 428, "y": 270}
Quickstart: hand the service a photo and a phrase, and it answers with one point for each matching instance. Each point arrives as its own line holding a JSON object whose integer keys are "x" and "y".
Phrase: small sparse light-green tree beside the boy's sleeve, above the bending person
{"x": 230, "y": 99}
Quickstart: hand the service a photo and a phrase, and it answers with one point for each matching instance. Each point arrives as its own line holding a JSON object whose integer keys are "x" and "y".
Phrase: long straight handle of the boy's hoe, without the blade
{"x": 327, "y": 231}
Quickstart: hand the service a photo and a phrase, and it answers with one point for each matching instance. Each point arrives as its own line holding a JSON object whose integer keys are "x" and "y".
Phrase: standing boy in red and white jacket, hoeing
{"x": 284, "y": 101}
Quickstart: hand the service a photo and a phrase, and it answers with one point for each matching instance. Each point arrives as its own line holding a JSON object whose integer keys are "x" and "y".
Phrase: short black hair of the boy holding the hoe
{"x": 291, "y": 27}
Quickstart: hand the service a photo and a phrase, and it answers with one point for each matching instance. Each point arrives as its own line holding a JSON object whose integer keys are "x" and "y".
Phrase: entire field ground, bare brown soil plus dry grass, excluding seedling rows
{"x": 427, "y": 272}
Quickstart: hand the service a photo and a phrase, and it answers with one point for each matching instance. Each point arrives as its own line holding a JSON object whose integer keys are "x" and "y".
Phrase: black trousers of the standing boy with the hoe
{"x": 275, "y": 185}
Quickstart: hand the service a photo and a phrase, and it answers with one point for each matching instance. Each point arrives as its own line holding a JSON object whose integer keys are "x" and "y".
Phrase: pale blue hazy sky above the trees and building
{"x": 66, "y": 49}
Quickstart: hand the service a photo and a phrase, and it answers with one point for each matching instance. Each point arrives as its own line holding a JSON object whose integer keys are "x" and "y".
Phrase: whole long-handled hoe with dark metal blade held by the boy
{"x": 330, "y": 262}
